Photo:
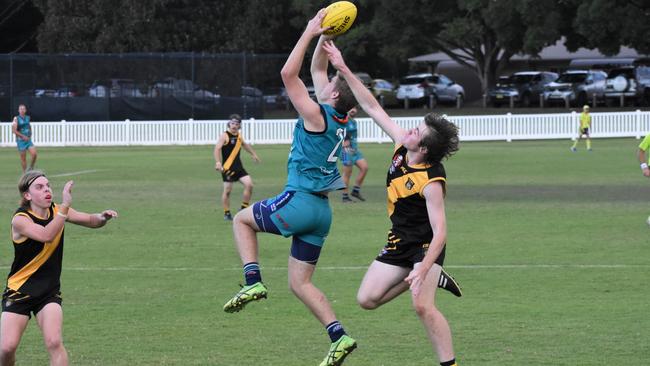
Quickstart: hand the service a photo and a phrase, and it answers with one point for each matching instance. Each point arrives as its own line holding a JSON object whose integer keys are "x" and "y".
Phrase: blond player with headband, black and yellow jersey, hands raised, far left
{"x": 33, "y": 284}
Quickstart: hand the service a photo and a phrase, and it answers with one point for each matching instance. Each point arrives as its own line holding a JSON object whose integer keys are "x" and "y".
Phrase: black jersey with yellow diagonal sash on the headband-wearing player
{"x": 36, "y": 270}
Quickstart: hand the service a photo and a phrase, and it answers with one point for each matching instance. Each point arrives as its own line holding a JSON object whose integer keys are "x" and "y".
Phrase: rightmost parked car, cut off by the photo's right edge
{"x": 633, "y": 82}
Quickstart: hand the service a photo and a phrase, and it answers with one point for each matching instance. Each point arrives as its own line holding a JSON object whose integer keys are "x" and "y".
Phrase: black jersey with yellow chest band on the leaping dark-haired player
{"x": 407, "y": 207}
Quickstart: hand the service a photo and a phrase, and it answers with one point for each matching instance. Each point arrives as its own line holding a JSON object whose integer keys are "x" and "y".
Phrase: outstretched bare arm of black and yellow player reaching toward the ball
{"x": 365, "y": 98}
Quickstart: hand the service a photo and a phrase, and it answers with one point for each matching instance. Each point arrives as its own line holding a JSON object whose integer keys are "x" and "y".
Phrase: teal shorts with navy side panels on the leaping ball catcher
{"x": 305, "y": 216}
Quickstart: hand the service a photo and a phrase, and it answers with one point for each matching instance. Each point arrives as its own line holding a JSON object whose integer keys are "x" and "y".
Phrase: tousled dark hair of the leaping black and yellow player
{"x": 441, "y": 140}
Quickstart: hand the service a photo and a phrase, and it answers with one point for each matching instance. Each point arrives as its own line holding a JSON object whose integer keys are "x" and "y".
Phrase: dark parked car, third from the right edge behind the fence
{"x": 523, "y": 87}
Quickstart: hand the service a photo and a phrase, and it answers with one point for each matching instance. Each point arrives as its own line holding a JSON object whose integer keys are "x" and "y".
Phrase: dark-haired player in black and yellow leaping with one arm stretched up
{"x": 416, "y": 185}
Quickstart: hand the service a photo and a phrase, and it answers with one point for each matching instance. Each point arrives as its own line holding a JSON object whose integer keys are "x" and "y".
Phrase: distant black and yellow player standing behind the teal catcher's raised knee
{"x": 228, "y": 162}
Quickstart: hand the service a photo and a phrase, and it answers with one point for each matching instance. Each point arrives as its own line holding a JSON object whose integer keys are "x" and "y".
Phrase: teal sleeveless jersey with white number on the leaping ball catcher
{"x": 312, "y": 159}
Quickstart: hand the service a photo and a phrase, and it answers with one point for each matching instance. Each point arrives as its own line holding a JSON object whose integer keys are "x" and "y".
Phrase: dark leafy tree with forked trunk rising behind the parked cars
{"x": 480, "y": 34}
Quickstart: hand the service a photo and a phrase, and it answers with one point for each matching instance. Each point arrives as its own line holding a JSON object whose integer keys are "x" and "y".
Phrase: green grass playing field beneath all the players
{"x": 551, "y": 248}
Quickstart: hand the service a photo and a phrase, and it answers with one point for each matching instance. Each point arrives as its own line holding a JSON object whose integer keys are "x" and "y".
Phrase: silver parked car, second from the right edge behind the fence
{"x": 577, "y": 86}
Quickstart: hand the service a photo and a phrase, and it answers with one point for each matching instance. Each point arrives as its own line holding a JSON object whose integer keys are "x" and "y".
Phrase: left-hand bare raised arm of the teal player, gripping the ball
{"x": 296, "y": 89}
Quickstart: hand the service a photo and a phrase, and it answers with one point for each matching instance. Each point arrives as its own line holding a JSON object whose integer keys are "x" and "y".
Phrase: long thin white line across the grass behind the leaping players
{"x": 357, "y": 268}
